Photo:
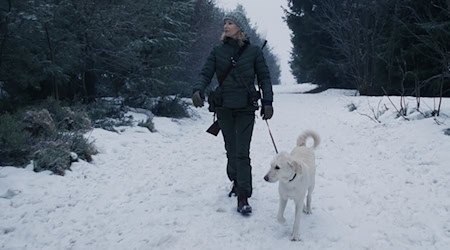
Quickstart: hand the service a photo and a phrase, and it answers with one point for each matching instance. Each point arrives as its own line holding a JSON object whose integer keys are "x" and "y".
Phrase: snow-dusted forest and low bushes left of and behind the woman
{"x": 67, "y": 66}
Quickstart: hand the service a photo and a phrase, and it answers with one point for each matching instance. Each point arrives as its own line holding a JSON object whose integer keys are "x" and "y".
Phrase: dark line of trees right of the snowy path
{"x": 399, "y": 47}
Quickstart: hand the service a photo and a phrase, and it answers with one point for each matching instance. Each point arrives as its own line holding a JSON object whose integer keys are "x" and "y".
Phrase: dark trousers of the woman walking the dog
{"x": 237, "y": 128}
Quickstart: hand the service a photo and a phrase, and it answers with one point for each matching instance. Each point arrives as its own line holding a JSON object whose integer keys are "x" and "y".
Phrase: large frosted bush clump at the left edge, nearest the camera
{"x": 47, "y": 136}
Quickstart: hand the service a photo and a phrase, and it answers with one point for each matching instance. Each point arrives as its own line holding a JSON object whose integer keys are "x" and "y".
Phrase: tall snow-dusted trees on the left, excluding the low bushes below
{"x": 84, "y": 49}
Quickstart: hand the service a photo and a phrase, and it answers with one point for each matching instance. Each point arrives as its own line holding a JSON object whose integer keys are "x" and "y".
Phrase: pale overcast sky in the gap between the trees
{"x": 268, "y": 17}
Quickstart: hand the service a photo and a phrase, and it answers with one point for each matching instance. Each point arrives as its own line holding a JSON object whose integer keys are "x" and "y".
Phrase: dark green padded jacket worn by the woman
{"x": 250, "y": 64}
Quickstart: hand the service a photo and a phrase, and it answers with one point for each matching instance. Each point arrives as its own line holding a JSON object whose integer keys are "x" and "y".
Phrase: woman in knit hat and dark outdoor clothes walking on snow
{"x": 236, "y": 62}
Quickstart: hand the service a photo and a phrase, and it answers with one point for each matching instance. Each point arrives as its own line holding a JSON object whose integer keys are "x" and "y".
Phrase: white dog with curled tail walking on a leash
{"x": 296, "y": 175}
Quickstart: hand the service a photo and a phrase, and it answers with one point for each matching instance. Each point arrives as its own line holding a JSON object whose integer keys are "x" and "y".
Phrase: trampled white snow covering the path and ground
{"x": 379, "y": 185}
